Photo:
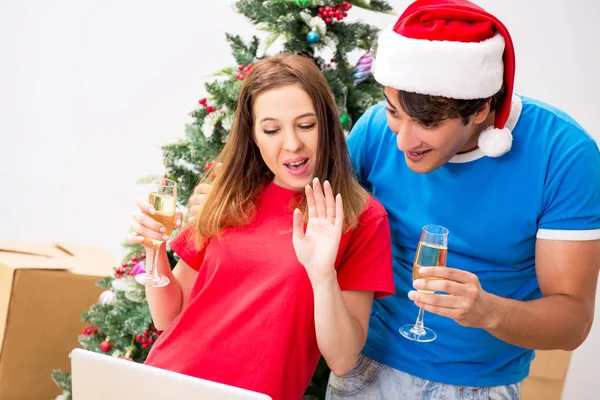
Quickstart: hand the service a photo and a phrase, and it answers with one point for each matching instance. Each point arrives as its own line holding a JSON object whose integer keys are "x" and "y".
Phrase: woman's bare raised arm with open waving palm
{"x": 341, "y": 317}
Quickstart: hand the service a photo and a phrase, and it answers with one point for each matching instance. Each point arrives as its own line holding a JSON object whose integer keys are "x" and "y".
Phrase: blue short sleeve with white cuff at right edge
{"x": 571, "y": 201}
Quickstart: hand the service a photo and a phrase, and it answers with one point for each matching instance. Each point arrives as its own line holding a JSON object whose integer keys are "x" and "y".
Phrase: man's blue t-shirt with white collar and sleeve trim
{"x": 547, "y": 186}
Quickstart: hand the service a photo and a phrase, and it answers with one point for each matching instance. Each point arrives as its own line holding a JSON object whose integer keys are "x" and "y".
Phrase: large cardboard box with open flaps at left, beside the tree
{"x": 43, "y": 291}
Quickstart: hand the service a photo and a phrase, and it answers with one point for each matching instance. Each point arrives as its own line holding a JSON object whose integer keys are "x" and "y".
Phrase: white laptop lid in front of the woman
{"x": 100, "y": 377}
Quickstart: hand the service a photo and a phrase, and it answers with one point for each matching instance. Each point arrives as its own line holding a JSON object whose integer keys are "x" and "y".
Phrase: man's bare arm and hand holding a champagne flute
{"x": 567, "y": 273}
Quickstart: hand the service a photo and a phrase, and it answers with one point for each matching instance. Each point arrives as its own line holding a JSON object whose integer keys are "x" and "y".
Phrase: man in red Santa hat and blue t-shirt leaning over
{"x": 517, "y": 184}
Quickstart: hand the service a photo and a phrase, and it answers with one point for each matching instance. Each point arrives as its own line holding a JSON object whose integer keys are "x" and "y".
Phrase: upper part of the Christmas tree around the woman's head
{"x": 314, "y": 28}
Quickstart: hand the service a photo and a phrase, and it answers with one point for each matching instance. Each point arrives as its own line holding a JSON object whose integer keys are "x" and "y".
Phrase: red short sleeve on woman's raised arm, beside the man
{"x": 366, "y": 263}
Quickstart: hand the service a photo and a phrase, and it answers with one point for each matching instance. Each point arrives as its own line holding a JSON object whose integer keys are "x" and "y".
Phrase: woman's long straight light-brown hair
{"x": 244, "y": 174}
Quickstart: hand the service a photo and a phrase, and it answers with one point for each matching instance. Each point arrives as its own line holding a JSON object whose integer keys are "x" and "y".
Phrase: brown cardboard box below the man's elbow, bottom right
{"x": 547, "y": 377}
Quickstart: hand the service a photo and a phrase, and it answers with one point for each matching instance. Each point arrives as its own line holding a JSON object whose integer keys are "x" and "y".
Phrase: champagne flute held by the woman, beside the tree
{"x": 163, "y": 197}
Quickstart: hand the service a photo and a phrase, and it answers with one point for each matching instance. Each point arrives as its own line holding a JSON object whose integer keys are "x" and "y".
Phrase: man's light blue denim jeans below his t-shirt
{"x": 371, "y": 380}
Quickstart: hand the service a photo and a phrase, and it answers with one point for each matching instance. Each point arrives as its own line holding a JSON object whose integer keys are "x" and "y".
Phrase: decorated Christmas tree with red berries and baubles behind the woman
{"x": 120, "y": 324}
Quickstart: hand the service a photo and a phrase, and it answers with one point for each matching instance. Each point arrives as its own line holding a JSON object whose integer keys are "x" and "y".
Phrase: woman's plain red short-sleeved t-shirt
{"x": 249, "y": 321}
